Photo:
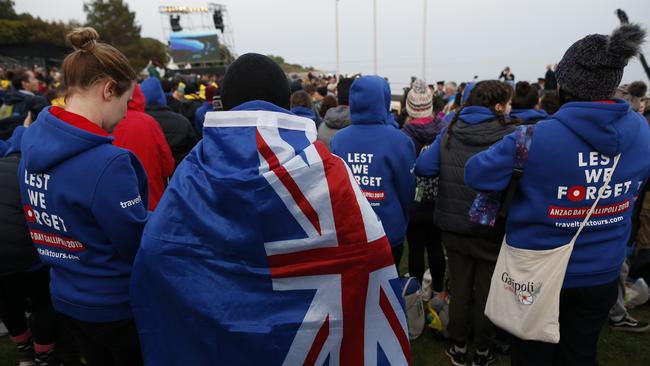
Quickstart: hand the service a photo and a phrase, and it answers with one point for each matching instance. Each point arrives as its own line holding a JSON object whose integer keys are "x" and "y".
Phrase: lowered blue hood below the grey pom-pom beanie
{"x": 604, "y": 126}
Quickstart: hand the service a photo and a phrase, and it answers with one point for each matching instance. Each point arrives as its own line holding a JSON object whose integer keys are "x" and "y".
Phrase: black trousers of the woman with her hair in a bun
{"x": 106, "y": 344}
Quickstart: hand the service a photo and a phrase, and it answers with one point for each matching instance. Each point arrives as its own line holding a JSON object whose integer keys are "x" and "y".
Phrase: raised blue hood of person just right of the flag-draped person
{"x": 369, "y": 101}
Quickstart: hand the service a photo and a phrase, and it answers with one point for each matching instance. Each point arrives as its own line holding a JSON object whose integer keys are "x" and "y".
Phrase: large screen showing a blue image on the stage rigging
{"x": 185, "y": 47}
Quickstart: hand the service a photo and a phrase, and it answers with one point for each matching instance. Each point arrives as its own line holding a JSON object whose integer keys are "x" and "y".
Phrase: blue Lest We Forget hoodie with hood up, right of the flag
{"x": 380, "y": 156}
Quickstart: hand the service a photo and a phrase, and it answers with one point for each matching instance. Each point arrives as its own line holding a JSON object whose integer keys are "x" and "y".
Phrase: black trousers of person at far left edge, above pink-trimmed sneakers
{"x": 28, "y": 291}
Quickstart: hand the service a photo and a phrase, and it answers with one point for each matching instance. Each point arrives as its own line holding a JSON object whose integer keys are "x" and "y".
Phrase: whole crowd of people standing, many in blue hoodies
{"x": 141, "y": 215}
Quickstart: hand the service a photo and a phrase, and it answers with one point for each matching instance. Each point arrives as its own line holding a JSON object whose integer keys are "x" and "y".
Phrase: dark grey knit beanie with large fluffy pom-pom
{"x": 592, "y": 68}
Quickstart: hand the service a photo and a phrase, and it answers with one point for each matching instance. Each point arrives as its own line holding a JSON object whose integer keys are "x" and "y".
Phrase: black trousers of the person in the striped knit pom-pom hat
{"x": 423, "y": 235}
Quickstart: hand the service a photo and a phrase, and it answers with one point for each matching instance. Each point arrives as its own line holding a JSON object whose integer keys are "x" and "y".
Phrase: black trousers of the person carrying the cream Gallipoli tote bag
{"x": 583, "y": 312}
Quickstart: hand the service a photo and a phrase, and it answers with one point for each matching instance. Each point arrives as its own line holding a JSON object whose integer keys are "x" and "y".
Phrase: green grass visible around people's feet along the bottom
{"x": 615, "y": 348}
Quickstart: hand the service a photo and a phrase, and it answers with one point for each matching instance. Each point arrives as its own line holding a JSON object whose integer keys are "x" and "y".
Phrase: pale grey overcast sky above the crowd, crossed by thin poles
{"x": 464, "y": 37}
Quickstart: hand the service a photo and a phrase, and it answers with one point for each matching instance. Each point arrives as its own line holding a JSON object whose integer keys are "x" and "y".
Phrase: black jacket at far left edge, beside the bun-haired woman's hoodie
{"x": 17, "y": 253}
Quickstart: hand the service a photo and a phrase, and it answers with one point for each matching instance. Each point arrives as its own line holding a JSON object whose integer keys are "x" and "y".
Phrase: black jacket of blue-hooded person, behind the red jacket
{"x": 179, "y": 133}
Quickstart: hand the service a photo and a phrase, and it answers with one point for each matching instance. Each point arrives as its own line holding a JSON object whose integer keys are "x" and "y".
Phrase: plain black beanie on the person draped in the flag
{"x": 254, "y": 77}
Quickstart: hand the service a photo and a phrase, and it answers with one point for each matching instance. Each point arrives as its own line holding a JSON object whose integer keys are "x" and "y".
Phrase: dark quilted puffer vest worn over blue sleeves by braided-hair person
{"x": 454, "y": 197}
